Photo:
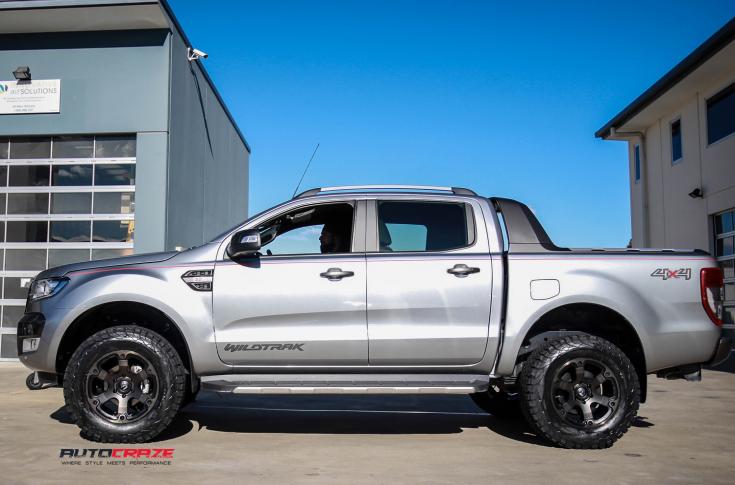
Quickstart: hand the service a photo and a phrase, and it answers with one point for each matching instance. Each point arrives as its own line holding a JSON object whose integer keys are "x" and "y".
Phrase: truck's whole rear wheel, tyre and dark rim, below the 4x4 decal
{"x": 579, "y": 392}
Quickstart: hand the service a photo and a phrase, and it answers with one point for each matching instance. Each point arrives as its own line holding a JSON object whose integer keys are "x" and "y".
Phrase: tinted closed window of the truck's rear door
{"x": 424, "y": 226}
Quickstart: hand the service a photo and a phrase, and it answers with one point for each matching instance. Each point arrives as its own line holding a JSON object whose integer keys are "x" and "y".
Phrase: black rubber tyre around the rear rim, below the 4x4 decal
{"x": 537, "y": 400}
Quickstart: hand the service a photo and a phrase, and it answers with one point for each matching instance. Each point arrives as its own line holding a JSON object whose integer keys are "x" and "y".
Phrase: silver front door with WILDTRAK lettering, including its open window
{"x": 302, "y": 301}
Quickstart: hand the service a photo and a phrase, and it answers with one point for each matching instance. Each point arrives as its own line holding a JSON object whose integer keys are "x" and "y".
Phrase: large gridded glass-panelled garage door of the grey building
{"x": 63, "y": 199}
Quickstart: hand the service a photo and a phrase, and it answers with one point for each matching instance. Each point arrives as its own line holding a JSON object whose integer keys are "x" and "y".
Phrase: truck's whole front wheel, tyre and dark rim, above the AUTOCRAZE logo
{"x": 124, "y": 384}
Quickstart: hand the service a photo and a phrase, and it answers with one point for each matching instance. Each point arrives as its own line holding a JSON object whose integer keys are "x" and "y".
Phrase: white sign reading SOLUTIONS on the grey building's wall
{"x": 26, "y": 97}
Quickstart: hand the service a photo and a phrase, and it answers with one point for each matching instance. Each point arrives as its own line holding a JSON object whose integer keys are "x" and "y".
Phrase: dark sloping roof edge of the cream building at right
{"x": 715, "y": 43}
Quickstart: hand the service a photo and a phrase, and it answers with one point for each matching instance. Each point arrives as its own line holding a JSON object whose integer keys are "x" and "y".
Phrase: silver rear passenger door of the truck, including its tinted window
{"x": 429, "y": 281}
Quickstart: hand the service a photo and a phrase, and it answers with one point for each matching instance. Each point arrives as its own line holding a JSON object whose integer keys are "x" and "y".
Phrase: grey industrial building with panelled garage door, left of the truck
{"x": 119, "y": 142}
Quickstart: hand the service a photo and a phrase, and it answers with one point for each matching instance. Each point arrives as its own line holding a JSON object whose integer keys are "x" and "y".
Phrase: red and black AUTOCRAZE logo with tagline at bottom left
{"x": 116, "y": 456}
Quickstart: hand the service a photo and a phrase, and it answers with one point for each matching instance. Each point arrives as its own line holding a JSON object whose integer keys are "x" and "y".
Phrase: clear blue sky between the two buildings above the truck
{"x": 500, "y": 97}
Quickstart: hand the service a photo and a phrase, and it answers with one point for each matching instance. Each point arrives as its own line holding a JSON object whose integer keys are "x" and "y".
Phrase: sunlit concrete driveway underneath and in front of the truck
{"x": 685, "y": 433}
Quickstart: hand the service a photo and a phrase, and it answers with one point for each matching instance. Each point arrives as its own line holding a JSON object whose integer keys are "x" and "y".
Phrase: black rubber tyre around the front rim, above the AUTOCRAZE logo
{"x": 171, "y": 387}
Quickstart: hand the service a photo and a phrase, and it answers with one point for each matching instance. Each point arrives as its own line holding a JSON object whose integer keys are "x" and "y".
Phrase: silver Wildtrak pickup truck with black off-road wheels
{"x": 377, "y": 290}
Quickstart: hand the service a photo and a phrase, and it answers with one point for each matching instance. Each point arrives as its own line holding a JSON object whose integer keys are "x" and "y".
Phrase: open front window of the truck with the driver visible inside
{"x": 318, "y": 229}
